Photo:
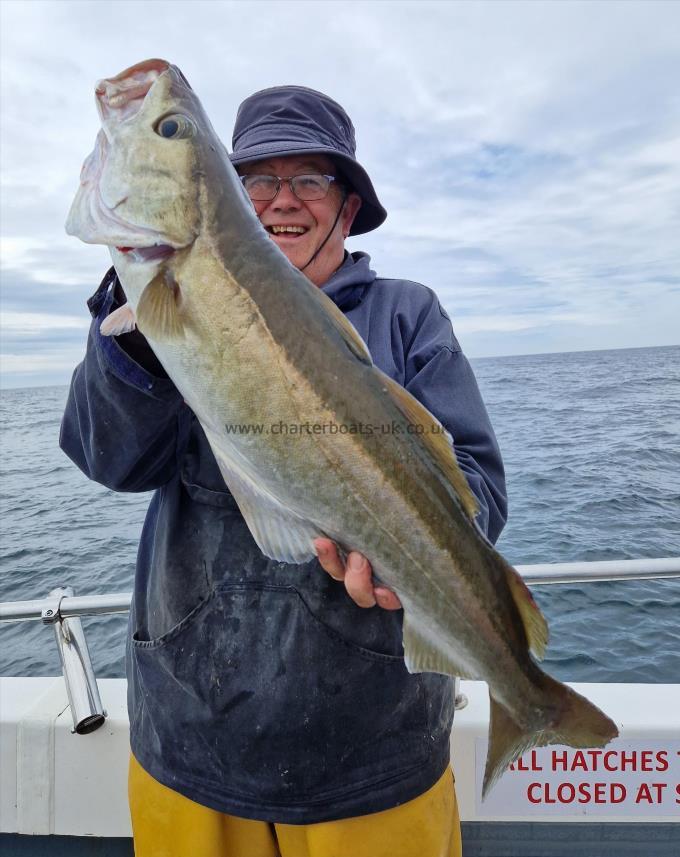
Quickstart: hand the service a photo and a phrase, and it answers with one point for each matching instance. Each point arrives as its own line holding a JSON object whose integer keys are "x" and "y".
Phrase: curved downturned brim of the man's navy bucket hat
{"x": 370, "y": 215}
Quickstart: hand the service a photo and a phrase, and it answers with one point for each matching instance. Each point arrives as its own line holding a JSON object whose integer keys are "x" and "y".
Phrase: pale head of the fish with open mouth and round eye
{"x": 139, "y": 189}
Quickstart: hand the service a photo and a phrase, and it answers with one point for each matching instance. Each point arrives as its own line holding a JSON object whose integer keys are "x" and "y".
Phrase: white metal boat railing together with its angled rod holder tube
{"x": 62, "y": 609}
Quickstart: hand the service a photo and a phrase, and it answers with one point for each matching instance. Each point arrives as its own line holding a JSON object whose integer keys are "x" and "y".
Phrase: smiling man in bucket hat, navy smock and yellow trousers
{"x": 270, "y": 709}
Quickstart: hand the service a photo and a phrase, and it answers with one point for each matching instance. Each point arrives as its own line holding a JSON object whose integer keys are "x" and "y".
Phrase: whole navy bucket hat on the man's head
{"x": 295, "y": 120}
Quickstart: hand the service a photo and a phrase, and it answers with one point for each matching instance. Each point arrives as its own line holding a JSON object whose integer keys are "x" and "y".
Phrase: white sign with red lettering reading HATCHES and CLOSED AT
{"x": 626, "y": 778}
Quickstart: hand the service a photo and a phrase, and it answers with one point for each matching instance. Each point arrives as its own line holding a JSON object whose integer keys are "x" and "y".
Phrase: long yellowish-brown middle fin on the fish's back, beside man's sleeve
{"x": 437, "y": 442}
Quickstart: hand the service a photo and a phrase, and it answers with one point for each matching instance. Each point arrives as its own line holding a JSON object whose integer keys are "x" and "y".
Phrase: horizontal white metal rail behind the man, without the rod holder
{"x": 535, "y": 575}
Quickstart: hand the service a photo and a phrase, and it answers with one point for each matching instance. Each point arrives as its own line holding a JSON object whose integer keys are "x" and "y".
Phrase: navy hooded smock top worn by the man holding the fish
{"x": 255, "y": 687}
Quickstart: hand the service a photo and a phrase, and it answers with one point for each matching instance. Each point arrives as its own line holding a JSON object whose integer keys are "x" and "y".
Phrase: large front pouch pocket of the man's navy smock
{"x": 255, "y": 696}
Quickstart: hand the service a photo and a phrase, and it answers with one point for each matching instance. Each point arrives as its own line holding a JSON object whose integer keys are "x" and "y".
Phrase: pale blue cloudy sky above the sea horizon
{"x": 528, "y": 154}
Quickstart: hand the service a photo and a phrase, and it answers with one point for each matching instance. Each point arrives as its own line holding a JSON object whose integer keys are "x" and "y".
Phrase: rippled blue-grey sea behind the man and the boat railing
{"x": 591, "y": 444}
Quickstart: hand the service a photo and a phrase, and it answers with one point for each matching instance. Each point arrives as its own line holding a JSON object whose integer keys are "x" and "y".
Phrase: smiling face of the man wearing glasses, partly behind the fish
{"x": 314, "y": 218}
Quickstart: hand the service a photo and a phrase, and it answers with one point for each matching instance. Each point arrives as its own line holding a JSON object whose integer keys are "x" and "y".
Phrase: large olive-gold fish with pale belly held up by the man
{"x": 249, "y": 341}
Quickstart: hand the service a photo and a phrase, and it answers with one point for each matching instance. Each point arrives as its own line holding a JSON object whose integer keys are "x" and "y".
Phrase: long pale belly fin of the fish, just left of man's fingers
{"x": 279, "y": 533}
